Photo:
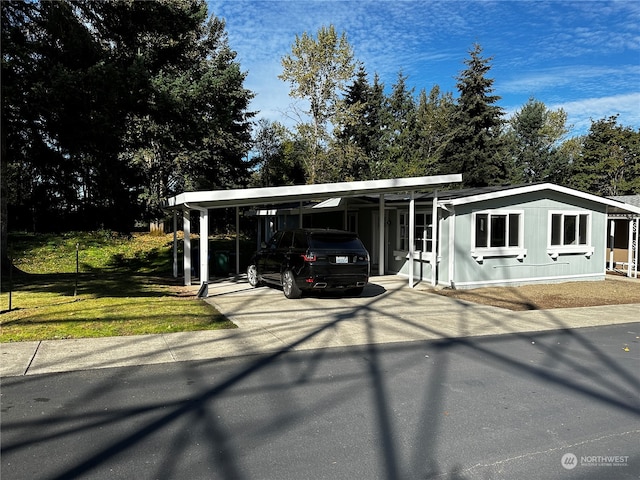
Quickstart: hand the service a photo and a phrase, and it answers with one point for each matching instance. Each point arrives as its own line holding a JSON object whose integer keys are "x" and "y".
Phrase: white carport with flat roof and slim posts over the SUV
{"x": 204, "y": 201}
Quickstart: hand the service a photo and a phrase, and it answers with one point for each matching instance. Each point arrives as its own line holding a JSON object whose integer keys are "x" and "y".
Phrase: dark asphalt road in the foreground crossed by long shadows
{"x": 502, "y": 407}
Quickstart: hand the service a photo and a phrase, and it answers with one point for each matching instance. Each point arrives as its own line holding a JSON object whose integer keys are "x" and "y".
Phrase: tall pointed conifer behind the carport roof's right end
{"x": 476, "y": 148}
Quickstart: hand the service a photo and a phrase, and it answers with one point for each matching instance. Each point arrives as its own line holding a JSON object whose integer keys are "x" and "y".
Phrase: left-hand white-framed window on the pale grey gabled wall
{"x": 498, "y": 233}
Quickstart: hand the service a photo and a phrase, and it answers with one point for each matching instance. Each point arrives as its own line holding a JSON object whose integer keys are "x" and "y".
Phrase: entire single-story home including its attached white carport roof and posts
{"x": 466, "y": 238}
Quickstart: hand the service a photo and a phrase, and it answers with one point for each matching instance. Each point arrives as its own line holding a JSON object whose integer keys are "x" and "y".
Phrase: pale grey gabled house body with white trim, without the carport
{"x": 493, "y": 236}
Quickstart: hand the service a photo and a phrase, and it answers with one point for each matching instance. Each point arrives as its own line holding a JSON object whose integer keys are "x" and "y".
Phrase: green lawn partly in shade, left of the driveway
{"x": 124, "y": 286}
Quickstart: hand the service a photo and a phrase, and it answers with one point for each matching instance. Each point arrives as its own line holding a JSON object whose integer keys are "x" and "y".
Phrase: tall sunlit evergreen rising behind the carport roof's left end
{"x": 195, "y": 133}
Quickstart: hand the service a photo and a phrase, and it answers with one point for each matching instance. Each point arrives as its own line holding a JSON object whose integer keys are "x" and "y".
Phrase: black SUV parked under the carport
{"x": 311, "y": 259}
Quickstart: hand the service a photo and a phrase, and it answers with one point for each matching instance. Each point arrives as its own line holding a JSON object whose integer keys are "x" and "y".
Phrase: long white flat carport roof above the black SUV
{"x": 271, "y": 195}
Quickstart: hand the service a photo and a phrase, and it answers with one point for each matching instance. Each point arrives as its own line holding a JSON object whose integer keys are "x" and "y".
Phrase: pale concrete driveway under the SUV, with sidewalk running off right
{"x": 387, "y": 311}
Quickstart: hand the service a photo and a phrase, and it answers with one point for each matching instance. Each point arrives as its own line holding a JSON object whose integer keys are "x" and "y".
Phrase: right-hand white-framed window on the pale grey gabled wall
{"x": 569, "y": 232}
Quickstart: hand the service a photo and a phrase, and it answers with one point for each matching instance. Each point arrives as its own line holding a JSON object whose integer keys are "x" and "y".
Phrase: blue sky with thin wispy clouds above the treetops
{"x": 581, "y": 56}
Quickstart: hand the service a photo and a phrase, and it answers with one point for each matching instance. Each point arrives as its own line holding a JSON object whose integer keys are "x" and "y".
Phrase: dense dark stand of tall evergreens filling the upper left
{"x": 110, "y": 106}
